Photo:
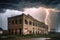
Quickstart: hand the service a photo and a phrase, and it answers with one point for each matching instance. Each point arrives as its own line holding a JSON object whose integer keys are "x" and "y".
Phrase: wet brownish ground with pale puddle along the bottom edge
{"x": 21, "y": 38}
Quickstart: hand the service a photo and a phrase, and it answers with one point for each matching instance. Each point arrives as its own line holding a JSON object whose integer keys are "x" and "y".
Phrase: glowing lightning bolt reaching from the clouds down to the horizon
{"x": 48, "y": 11}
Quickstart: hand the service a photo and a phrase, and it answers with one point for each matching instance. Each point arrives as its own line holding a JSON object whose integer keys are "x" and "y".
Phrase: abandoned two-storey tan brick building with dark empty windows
{"x": 26, "y": 24}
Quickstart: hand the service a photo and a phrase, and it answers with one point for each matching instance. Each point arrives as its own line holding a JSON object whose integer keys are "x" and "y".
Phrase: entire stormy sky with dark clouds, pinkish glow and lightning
{"x": 45, "y": 11}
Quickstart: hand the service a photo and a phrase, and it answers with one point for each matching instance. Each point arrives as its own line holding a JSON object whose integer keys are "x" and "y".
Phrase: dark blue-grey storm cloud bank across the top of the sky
{"x": 14, "y": 4}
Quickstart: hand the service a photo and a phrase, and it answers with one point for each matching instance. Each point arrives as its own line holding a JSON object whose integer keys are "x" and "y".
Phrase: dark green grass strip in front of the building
{"x": 30, "y": 36}
